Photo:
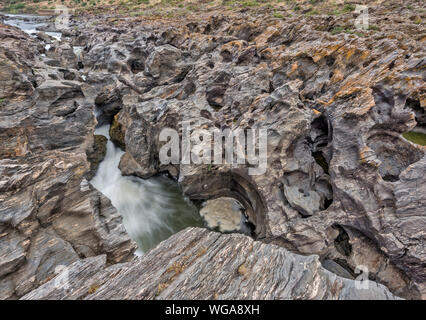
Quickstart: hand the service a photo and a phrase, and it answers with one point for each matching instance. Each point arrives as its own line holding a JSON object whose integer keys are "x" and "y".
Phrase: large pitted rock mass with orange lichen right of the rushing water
{"x": 335, "y": 107}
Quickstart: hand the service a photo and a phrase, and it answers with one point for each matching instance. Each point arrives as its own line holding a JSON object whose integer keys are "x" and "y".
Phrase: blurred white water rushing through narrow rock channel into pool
{"x": 152, "y": 209}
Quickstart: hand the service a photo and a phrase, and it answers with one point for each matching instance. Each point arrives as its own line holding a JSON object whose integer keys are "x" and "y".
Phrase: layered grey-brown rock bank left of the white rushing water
{"x": 49, "y": 214}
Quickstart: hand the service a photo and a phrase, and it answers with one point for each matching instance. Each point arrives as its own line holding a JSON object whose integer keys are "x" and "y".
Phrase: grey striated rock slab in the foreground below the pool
{"x": 199, "y": 264}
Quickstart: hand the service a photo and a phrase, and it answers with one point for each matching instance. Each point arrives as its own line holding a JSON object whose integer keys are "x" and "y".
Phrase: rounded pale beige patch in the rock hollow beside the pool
{"x": 226, "y": 215}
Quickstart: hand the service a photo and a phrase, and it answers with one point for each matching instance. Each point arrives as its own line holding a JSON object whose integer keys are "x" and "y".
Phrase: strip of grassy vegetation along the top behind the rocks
{"x": 280, "y": 8}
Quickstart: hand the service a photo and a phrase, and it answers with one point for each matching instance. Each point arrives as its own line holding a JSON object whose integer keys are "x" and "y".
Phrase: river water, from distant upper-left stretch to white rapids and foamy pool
{"x": 152, "y": 209}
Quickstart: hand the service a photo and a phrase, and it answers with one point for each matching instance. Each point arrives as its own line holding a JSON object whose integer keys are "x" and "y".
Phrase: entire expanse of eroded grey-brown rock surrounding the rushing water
{"x": 343, "y": 188}
